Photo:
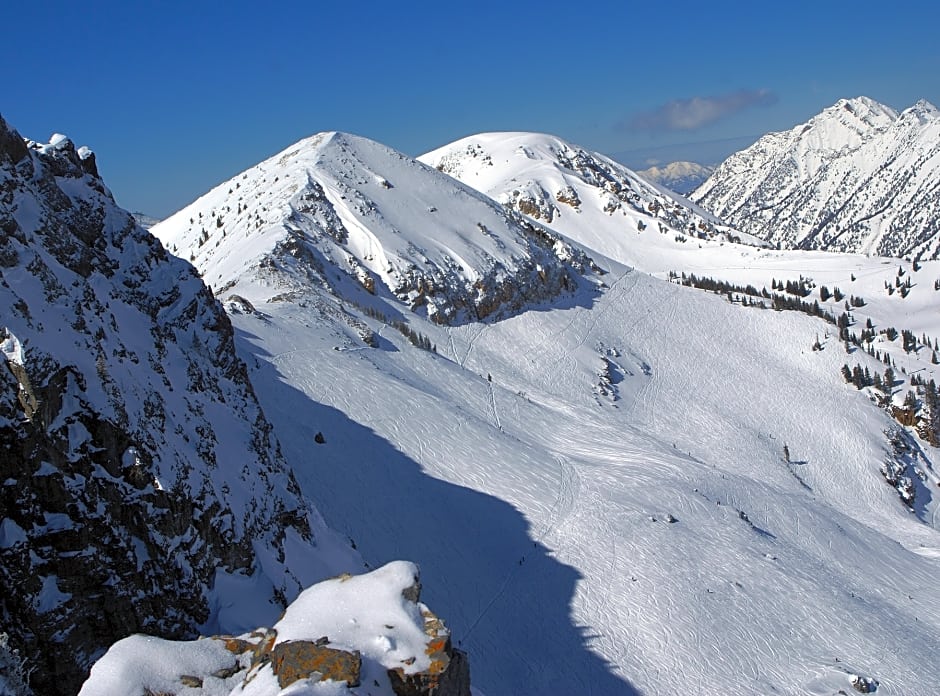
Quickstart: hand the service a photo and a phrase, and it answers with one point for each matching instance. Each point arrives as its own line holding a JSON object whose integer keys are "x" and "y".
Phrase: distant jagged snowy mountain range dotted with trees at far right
{"x": 858, "y": 177}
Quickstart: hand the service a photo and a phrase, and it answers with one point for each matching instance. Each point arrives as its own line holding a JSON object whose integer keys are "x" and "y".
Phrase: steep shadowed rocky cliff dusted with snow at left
{"x": 135, "y": 462}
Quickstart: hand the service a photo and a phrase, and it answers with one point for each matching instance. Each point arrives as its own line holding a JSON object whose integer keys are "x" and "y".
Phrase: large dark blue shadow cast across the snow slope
{"x": 505, "y": 599}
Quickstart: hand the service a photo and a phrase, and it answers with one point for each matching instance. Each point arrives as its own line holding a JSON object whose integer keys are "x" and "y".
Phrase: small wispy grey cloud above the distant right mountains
{"x": 697, "y": 112}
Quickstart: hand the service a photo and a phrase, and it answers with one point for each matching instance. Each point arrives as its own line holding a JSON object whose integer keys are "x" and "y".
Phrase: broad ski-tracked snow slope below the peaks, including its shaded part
{"x": 595, "y": 488}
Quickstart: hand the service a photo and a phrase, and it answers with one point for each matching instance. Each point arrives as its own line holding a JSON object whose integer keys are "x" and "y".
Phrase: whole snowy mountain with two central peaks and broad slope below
{"x": 625, "y": 487}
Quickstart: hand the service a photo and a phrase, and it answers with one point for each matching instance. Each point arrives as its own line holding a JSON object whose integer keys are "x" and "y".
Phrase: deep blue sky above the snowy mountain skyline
{"x": 177, "y": 97}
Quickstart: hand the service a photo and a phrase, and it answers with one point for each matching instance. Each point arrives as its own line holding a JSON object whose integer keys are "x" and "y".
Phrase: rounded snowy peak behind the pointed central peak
{"x": 583, "y": 195}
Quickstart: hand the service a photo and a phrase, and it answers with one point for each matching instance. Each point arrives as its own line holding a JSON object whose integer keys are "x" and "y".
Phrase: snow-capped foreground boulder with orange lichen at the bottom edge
{"x": 369, "y": 630}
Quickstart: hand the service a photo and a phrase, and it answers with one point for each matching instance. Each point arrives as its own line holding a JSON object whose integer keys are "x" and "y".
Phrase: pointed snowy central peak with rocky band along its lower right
{"x": 394, "y": 225}
